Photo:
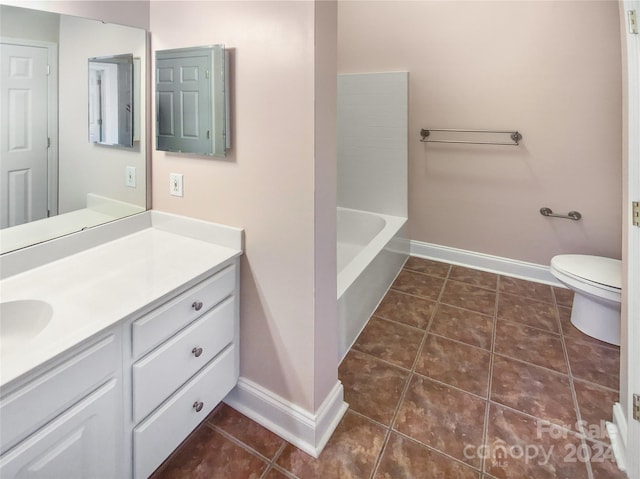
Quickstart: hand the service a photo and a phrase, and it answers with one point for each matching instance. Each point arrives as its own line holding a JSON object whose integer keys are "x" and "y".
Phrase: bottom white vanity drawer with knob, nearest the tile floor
{"x": 165, "y": 429}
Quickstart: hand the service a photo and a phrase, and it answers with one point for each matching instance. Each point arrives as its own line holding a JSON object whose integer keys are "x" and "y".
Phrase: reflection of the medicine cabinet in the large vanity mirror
{"x": 111, "y": 100}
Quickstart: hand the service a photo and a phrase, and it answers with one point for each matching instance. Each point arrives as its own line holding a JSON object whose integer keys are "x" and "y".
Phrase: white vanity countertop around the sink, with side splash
{"x": 94, "y": 289}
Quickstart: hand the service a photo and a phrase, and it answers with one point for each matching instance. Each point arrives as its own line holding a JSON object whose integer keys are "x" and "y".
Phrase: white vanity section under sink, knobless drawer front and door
{"x": 66, "y": 421}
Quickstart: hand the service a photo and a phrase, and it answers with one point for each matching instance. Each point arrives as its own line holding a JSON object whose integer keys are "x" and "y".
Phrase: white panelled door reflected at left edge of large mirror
{"x": 23, "y": 134}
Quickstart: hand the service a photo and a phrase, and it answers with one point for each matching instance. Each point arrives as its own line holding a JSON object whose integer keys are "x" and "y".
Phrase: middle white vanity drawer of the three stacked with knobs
{"x": 166, "y": 368}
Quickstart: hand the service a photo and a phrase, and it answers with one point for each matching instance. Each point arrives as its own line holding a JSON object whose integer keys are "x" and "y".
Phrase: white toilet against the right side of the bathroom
{"x": 596, "y": 282}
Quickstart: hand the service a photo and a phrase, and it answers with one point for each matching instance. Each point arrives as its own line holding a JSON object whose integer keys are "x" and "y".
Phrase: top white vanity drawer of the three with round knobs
{"x": 163, "y": 322}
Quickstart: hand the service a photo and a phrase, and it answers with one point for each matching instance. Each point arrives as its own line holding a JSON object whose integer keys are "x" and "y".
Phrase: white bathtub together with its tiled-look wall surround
{"x": 372, "y": 194}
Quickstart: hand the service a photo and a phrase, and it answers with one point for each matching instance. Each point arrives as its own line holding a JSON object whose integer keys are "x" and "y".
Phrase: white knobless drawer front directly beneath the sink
{"x": 51, "y": 393}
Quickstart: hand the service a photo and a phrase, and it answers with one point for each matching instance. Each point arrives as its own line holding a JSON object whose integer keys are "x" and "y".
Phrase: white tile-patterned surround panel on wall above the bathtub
{"x": 373, "y": 147}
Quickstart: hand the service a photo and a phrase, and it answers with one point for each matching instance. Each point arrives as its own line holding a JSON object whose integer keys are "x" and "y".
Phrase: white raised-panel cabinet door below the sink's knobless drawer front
{"x": 83, "y": 442}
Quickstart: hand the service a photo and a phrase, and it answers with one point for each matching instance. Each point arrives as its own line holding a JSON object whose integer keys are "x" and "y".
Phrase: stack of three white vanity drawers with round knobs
{"x": 185, "y": 361}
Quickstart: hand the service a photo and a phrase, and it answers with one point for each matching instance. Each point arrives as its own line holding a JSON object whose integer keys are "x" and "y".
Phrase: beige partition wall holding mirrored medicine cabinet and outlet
{"x": 275, "y": 181}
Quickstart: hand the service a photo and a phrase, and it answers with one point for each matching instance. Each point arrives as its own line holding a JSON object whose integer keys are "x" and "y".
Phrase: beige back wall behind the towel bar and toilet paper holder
{"x": 549, "y": 69}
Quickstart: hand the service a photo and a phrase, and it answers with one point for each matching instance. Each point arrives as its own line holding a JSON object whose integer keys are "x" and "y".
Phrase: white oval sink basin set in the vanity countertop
{"x": 22, "y": 320}
